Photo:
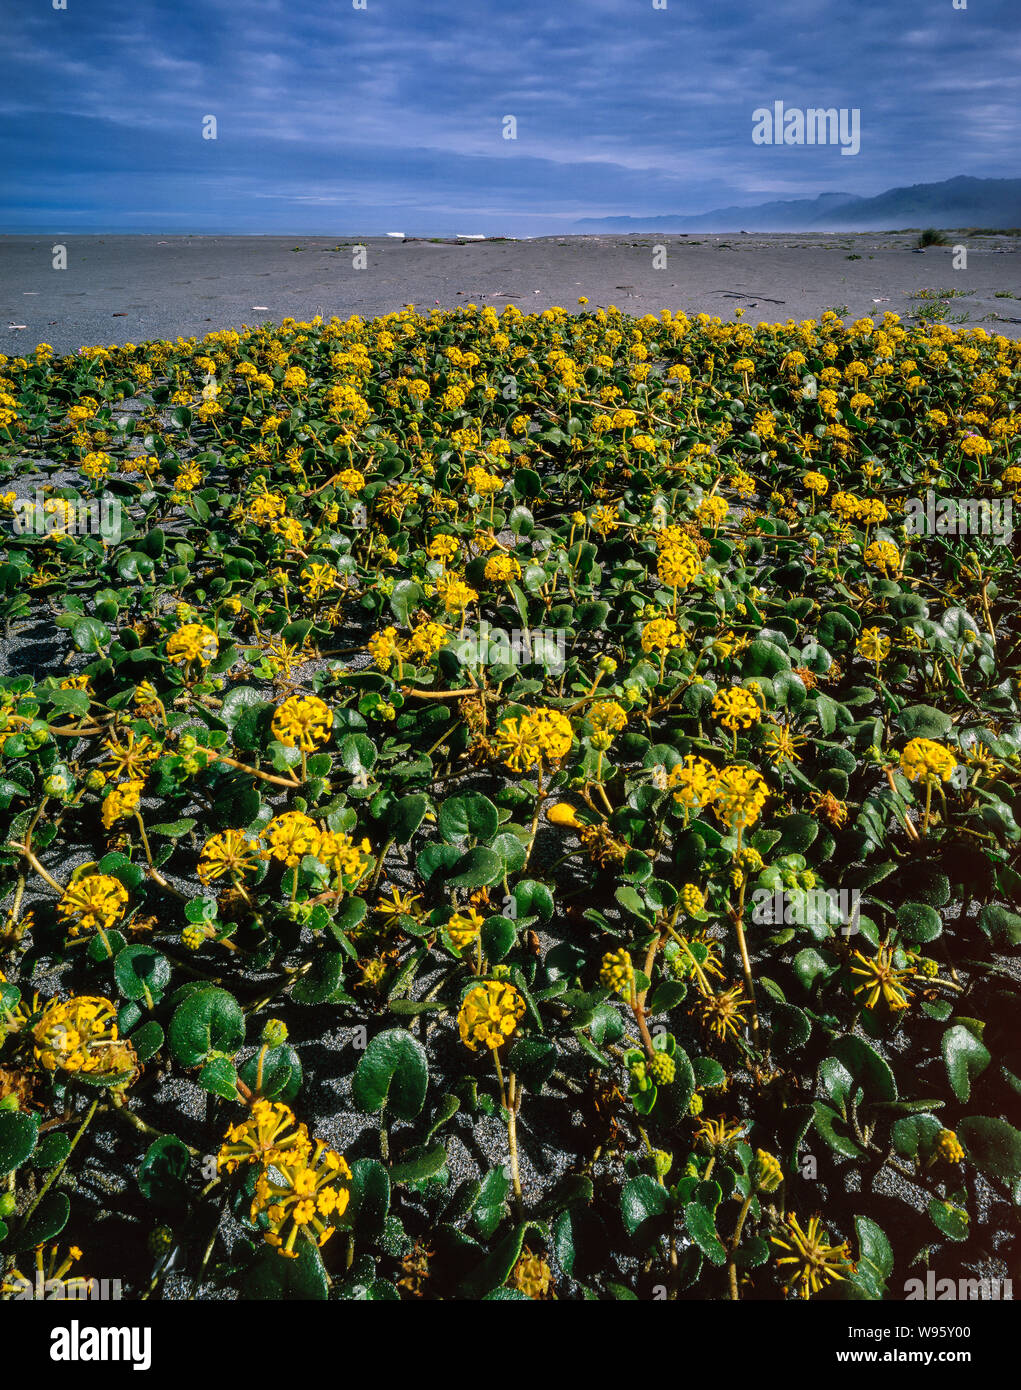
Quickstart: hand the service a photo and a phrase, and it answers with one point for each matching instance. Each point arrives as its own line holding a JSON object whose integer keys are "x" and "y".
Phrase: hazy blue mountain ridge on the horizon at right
{"x": 958, "y": 202}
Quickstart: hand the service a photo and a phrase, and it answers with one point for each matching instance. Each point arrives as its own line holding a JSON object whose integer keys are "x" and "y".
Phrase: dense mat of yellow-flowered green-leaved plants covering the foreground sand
{"x": 547, "y": 753}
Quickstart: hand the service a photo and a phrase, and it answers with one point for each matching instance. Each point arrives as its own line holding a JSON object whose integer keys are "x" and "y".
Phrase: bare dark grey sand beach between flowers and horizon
{"x": 134, "y": 288}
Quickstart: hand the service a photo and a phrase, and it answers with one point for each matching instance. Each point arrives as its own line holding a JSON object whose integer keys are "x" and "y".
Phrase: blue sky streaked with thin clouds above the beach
{"x": 334, "y": 120}
